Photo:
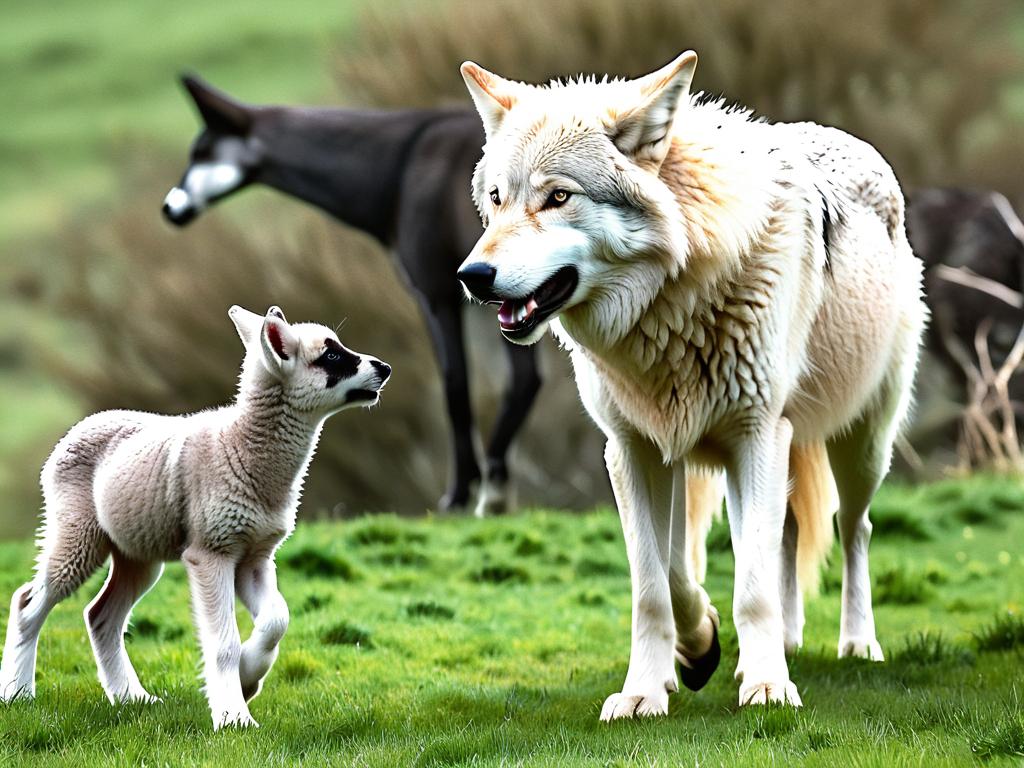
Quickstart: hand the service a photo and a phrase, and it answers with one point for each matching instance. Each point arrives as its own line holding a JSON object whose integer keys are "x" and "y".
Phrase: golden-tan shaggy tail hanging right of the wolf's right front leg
{"x": 814, "y": 501}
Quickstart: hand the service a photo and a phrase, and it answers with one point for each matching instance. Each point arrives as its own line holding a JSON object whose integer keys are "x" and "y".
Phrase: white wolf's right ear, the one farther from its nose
{"x": 642, "y": 132}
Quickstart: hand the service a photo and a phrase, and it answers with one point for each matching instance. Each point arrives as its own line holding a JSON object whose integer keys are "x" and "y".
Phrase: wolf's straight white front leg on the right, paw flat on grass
{"x": 757, "y": 496}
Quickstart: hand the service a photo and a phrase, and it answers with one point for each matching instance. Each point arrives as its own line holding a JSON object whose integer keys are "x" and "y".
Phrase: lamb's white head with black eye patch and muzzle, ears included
{"x": 318, "y": 374}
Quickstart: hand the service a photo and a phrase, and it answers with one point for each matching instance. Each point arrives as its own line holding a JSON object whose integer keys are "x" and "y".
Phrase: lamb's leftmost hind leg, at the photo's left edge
{"x": 74, "y": 546}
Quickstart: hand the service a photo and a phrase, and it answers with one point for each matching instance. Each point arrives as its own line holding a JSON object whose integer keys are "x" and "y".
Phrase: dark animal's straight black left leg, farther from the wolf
{"x": 446, "y": 327}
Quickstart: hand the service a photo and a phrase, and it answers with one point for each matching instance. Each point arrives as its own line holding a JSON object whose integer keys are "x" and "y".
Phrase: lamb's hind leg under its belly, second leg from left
{"x": 107, "y": 619}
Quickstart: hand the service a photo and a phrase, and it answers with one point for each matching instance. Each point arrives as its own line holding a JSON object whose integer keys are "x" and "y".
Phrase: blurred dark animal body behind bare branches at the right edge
{"x": 970, "y": 239}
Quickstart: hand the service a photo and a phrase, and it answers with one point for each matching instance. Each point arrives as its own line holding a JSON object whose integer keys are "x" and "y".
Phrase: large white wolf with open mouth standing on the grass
{"x": 735, "y": 295}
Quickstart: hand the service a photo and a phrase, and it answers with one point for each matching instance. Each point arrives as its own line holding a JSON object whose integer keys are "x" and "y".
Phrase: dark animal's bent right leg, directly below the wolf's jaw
{"x": 516, "y": 408}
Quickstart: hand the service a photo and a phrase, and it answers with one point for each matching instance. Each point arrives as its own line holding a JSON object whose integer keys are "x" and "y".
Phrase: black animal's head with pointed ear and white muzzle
{"x": 225, "y": 156}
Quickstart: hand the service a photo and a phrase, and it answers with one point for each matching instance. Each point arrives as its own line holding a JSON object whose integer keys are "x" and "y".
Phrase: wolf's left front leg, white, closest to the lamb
{"x": 644, "y": 492}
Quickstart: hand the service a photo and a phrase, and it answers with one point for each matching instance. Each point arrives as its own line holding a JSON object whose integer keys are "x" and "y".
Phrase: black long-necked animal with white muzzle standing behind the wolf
{"x": 403, "y": 178}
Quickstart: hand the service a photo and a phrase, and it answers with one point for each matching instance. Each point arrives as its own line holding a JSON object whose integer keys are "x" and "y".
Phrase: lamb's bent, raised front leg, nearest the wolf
{"x": 257, "y": 584}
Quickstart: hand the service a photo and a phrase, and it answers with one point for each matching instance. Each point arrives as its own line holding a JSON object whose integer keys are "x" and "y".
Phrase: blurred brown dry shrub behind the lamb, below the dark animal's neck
{"x": 152, "y": 305}
